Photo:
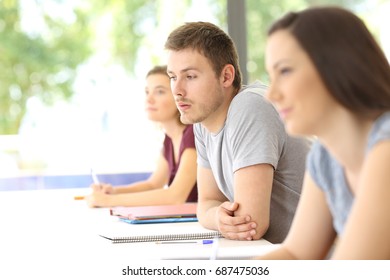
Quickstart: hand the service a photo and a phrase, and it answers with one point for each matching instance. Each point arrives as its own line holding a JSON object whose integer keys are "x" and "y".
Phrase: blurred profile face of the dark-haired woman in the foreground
{"x": 296, "y": 88}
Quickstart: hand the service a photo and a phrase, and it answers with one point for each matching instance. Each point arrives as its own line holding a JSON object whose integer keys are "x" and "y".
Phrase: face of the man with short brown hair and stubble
{"x": 197, "y": 91}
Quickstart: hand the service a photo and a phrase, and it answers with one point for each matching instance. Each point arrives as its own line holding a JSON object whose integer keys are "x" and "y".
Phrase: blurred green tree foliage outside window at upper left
{"x": 44, "y": 65}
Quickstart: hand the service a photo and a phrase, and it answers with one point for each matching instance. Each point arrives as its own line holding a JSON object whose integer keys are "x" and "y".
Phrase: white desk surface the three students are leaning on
{"x": 48, "y": 232}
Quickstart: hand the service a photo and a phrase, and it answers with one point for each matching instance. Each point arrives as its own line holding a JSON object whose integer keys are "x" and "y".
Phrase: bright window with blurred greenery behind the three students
{"x": 73, "y": 82}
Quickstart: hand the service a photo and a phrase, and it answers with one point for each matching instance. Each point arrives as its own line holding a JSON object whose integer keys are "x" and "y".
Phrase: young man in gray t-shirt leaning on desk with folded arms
{"x": 250, "y": 171}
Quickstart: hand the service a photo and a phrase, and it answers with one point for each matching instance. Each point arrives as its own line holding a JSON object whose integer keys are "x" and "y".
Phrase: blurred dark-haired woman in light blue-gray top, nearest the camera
{"x": 329, "y": 78}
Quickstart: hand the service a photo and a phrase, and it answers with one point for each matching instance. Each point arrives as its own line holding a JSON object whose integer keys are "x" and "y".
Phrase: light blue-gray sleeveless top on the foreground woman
{"x": 329, "y": 175}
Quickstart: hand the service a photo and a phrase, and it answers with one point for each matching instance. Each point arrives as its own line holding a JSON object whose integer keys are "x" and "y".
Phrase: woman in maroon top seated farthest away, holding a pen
{"x": 174, "y": 179}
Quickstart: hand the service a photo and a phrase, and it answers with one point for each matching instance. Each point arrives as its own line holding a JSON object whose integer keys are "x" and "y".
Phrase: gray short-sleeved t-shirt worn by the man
{"x": 254, "y": 134}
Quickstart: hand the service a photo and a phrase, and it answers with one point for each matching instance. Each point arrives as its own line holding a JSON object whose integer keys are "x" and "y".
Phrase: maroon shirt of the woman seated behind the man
{"x": 187, "y": 141}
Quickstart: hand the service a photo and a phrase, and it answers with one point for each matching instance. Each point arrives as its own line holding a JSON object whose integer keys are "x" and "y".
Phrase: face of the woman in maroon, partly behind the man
{"x": 159, "y": 102}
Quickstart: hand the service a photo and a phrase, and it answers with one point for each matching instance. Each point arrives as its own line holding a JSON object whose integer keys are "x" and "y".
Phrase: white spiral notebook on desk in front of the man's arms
{"x": 130, "y": 233}
